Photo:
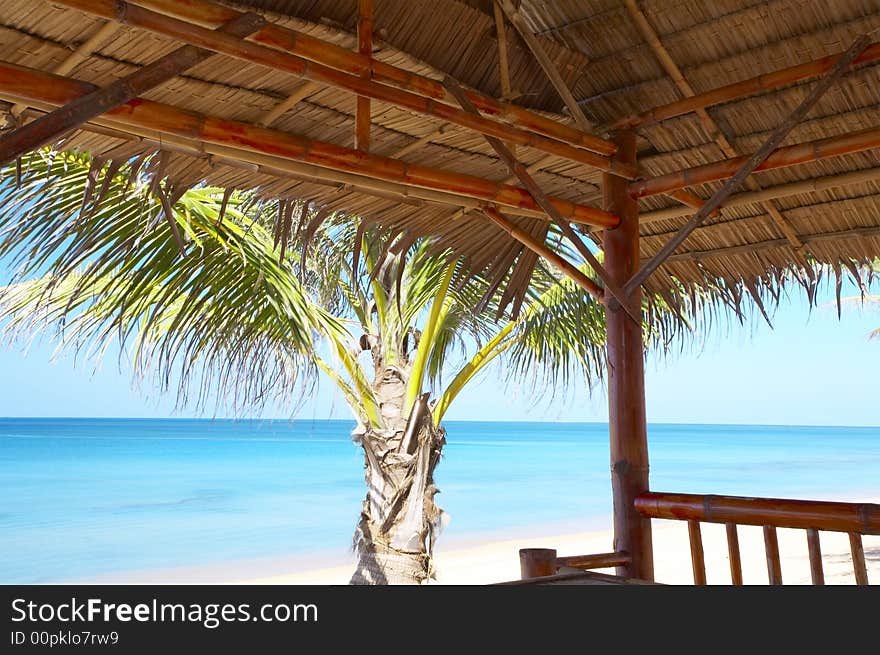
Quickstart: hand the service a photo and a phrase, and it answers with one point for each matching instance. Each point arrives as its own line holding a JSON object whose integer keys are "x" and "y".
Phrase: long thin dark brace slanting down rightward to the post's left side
{"x": 544, "y": 202}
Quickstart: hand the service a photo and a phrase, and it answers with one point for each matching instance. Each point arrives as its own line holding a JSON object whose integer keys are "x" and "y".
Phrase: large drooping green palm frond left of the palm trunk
{"x": 103, "y": 265}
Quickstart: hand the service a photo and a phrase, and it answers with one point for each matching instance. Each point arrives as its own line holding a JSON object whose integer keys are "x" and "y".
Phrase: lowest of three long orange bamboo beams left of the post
{"x": 28, "y": 85}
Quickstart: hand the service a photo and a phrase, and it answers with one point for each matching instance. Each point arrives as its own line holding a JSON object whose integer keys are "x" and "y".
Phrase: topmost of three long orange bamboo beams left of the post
{"x": 332, "y": 61}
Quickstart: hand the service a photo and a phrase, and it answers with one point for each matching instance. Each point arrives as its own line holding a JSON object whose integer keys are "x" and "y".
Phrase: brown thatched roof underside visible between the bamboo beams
{"x": 611, "y": 69}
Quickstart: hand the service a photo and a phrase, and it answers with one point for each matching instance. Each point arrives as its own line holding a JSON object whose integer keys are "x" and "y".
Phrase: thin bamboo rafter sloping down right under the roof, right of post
{"x": 713, "y": 129}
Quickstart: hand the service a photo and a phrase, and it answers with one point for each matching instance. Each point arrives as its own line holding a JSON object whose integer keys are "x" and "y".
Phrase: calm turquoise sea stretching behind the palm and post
{"x": 86, "y": 497}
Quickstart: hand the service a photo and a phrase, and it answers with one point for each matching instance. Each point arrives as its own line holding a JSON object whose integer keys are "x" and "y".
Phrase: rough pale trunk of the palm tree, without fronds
{"x": 399, "y": 520}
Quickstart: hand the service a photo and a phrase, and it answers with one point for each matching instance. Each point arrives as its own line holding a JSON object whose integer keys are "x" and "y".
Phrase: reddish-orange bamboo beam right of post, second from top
{"x": 801, "y": 153}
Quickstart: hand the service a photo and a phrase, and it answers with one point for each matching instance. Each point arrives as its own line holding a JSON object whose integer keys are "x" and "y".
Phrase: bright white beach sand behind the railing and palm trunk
{"x": 497, "y": 561}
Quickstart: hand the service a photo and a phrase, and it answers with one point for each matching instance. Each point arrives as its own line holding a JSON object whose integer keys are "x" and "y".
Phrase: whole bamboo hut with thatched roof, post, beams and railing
{"x": 723, "y": 144}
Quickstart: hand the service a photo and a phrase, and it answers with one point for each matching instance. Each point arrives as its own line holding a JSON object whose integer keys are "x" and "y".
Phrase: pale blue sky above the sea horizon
{"x": 811, "y": 369}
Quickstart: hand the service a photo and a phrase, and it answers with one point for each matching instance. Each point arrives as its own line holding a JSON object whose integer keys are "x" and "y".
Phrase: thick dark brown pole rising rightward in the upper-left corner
{"x": 48, "y": 128}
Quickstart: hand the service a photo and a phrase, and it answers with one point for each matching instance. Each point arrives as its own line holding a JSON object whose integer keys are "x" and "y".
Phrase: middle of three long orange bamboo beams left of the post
{"x": 251, "y": 52}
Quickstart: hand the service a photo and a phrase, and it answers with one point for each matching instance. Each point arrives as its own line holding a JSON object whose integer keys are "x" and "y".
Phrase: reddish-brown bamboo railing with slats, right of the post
{"x": 769, "y": 513}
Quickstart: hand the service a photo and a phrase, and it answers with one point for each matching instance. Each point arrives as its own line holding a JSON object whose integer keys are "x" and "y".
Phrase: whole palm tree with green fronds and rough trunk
{"x": 229, "y": 296}
